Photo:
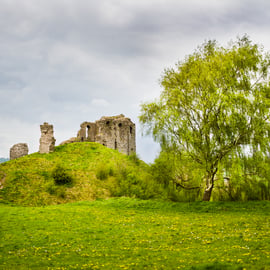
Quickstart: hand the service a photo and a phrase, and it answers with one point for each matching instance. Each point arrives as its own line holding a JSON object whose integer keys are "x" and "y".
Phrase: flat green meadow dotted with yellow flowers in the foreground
{"x": 127, "y": 233}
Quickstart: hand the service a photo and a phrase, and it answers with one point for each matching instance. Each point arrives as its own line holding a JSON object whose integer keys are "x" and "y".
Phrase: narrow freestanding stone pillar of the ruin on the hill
{"x": 47, "y": 141}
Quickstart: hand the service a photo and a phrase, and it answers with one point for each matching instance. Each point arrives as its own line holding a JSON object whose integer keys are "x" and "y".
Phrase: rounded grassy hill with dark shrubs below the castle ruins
{"x": 74, "y": 172}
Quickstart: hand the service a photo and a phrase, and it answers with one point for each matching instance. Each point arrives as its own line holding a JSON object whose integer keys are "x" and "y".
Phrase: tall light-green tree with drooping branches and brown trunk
{"x": 215, "y": 101}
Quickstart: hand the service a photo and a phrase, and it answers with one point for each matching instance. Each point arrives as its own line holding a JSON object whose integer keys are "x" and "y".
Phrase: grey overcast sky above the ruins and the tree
{"x": 70, "y": 61}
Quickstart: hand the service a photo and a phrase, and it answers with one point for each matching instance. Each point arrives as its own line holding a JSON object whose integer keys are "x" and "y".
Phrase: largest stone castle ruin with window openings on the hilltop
{"x": 115, "y": 132}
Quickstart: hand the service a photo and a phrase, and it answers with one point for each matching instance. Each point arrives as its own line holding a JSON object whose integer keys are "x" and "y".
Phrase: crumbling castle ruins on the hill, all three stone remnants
{"x": 115, "y": 132}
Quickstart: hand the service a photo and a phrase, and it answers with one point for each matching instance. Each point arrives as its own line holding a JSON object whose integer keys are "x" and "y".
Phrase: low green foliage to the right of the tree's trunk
{"x": 243, "y": 177}
